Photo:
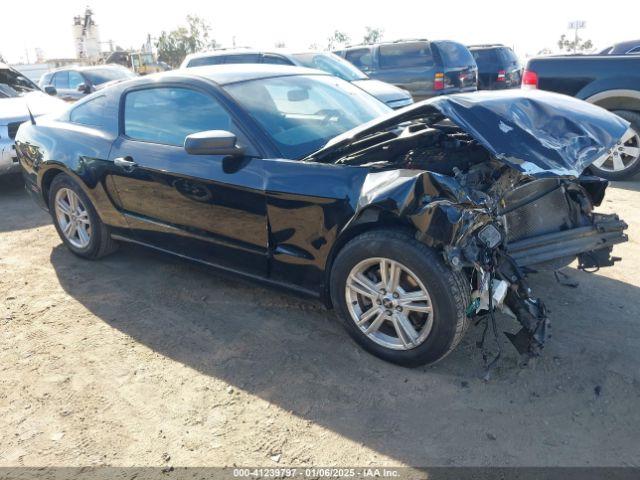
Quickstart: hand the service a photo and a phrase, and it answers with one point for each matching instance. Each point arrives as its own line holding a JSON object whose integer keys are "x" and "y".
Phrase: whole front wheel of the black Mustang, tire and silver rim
{"x": 397, "y": 298}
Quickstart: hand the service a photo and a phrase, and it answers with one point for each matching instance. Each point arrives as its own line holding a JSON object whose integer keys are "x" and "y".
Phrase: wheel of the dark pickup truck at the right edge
{"x": 624, "y": 162}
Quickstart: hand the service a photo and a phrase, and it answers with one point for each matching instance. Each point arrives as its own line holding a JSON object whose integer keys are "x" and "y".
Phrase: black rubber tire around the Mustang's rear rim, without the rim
{"x": 100, "y": 243}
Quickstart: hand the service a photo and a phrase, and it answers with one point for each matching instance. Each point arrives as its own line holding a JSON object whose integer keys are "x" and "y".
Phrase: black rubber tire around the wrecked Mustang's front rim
{"x": 448, "y": 290}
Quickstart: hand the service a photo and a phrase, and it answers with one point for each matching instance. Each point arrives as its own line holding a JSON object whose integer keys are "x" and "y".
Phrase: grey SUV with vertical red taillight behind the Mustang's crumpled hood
{"x": 424, "y": 68}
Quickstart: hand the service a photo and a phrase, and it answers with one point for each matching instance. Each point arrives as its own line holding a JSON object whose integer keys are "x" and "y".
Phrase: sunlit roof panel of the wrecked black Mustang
{"x": 240, "y": 72}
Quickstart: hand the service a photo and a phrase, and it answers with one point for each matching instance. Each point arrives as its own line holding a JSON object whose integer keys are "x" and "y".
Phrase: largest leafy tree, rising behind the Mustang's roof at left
{"x": 173, "y": 46}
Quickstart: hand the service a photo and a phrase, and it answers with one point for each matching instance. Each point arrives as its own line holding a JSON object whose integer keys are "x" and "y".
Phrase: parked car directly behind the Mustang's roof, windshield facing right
{"x": 326, "y": 61}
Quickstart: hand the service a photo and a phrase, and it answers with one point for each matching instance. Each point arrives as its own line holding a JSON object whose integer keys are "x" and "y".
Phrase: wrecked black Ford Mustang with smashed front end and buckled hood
{"x": 409, "y": 223}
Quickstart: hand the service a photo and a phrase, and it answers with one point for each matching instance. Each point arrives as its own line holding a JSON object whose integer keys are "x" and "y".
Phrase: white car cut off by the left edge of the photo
{"x": 18, "y": 97}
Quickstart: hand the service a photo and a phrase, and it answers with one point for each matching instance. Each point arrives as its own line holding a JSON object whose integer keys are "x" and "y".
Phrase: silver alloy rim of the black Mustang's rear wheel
{"x": 73, "y": 218}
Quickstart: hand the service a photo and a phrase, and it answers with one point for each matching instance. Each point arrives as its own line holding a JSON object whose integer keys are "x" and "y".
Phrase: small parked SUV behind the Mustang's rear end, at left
{"x": 73, "y": 83}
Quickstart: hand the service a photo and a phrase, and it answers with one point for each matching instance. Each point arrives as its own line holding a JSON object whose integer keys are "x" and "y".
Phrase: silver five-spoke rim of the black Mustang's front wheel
{"x": 389, "y": 303}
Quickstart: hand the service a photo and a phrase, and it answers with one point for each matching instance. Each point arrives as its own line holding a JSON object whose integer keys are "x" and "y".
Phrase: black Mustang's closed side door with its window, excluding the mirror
{"x": 207, "y": 207}
